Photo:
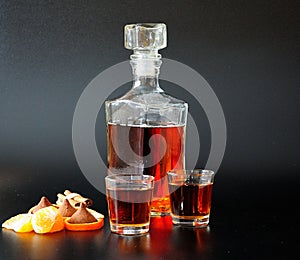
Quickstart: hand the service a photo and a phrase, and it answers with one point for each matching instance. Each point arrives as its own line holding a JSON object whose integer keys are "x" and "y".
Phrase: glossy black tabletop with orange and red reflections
{"x": 249, "y": 220}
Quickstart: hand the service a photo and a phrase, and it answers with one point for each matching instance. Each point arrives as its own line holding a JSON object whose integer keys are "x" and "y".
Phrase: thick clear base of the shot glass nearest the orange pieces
{"x": 129, "y": 229}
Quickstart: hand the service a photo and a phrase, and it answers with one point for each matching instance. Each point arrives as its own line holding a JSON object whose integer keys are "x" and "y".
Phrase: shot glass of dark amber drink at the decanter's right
{"x": 190, "y": 196}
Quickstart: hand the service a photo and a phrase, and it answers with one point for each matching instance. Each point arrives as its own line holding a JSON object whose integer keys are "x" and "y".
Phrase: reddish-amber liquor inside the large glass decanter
{"x": 169, "y": 139}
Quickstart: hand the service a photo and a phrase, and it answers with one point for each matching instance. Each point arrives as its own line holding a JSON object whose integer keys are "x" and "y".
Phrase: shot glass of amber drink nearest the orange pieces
{"x": 129, "y": 199}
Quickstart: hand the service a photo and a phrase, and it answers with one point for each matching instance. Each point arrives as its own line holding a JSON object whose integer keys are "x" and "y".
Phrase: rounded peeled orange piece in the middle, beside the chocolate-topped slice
{"x": 47, "y": 220}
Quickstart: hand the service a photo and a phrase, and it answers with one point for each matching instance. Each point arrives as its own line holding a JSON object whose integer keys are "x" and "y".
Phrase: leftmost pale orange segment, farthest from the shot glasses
{"x": 19, "y": 223}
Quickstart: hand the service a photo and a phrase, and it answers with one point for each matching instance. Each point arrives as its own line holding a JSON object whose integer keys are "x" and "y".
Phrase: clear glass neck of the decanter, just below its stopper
{"x": 145, "y": 69}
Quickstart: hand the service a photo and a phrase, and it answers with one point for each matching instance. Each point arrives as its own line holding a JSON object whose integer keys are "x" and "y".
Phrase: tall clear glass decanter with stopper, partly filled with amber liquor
{"x": 146, "y": 127}
